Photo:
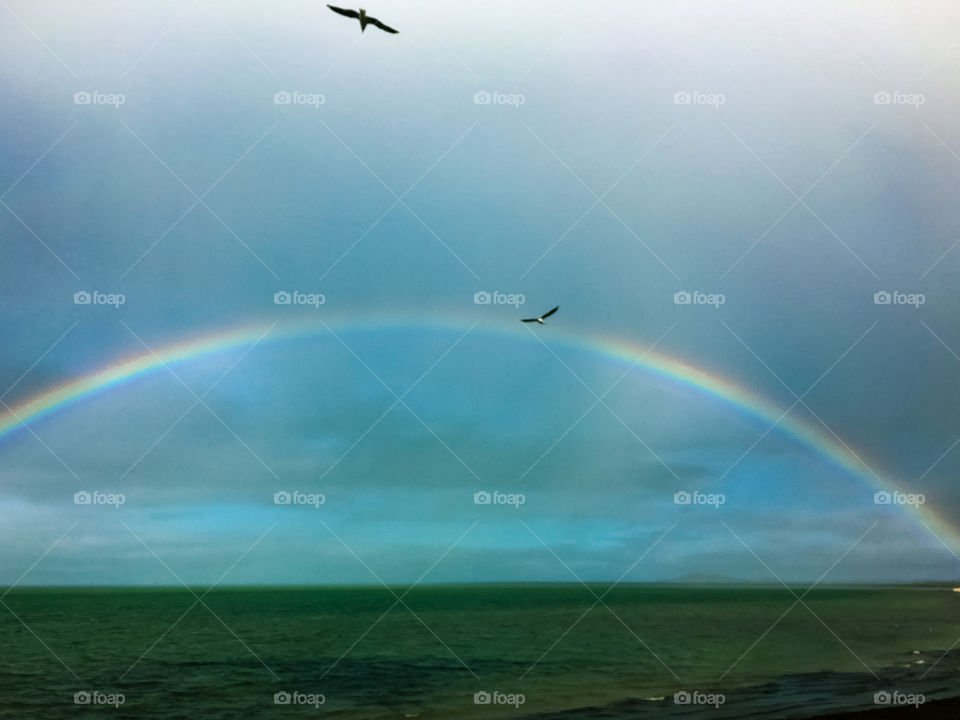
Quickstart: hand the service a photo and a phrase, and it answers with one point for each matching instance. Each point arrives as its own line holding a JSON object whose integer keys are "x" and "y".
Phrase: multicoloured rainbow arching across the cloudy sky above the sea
{"x": 823, "y": 443}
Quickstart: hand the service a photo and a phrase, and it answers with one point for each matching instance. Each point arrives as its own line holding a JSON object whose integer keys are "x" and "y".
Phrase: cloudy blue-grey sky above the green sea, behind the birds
{"x": 791, "y": 166}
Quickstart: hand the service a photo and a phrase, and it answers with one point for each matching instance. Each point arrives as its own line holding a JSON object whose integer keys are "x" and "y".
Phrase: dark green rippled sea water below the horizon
{"x": 545, "y": 651}
